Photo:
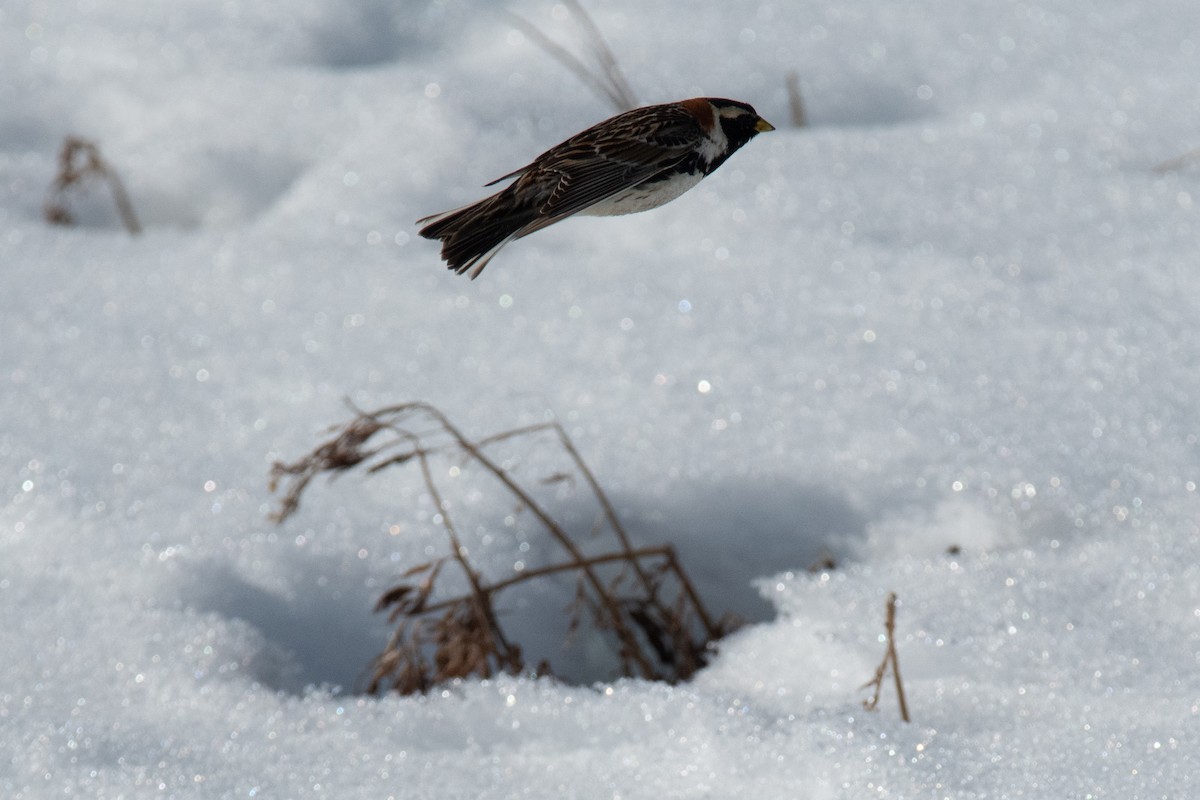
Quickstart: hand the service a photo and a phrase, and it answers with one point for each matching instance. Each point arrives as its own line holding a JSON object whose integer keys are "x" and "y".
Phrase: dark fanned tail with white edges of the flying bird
{"x": 472, "y": 236}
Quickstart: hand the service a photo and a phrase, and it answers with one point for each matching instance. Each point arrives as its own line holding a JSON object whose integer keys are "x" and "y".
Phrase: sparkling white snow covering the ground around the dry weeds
{"x": 959, "y": 310}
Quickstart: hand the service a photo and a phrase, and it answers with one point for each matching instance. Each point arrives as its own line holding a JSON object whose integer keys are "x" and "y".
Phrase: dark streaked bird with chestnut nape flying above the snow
{"x": 632, "y": 163}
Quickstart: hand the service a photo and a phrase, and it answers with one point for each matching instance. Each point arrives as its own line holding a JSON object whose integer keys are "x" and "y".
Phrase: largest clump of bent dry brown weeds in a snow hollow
{"x": 640, "y": 599}
